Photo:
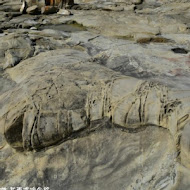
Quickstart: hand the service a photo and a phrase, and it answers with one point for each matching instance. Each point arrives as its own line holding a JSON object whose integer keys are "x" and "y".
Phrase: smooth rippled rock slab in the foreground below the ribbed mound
{"x": 92, "y": 162}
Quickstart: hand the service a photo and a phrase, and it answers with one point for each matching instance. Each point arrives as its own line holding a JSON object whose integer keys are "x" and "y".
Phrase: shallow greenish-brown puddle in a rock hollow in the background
{"x": 64, "y": 27}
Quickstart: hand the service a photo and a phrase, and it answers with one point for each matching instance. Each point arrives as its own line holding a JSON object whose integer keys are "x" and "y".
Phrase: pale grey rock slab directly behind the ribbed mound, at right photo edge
{"x": 154, "y": 61}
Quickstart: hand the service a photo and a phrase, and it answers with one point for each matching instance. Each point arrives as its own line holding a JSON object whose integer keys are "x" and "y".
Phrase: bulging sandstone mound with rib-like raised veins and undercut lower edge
{"x": 66, "y": 102}
